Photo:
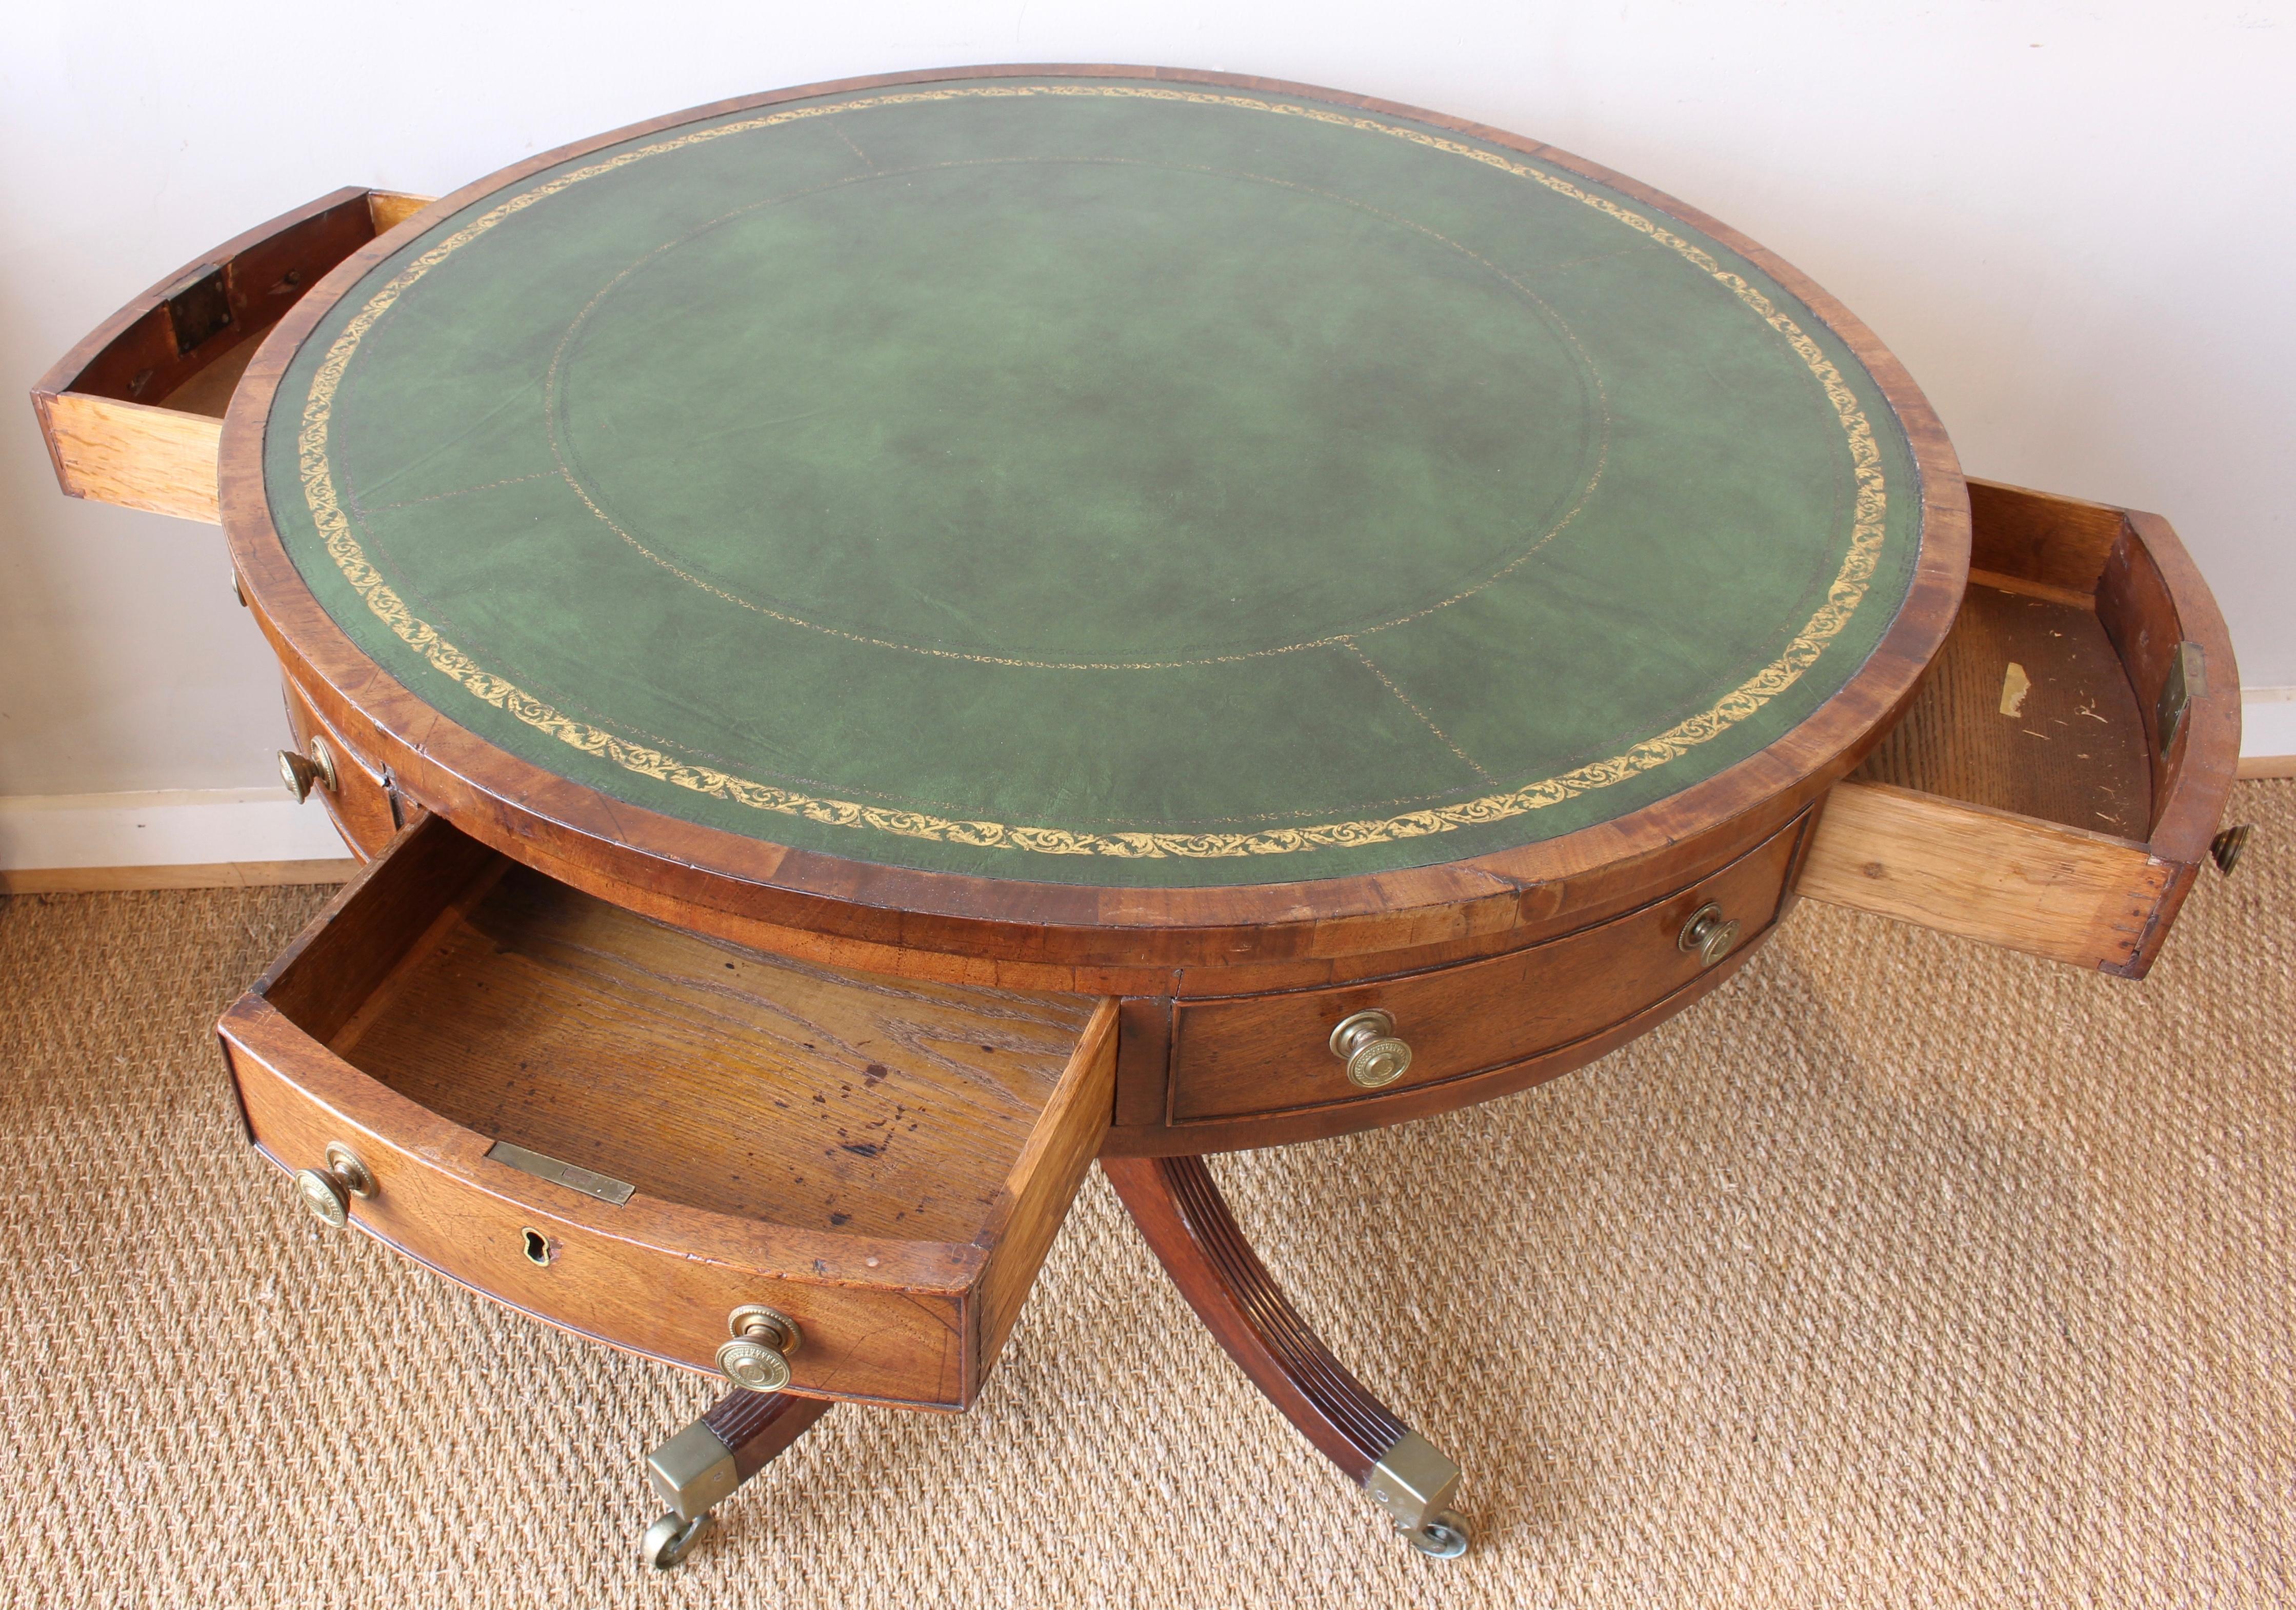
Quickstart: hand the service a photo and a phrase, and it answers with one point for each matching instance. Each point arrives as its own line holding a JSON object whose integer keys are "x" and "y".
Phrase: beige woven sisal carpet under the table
{"x": 1902, "y": 1271}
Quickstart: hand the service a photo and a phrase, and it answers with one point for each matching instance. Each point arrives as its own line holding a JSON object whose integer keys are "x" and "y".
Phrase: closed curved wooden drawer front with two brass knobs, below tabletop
{"x": 1273, "y": 1053}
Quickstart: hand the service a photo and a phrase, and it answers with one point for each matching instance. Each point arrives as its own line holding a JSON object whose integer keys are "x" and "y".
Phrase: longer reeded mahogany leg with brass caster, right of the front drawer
{"x": 1188, "y": 1223}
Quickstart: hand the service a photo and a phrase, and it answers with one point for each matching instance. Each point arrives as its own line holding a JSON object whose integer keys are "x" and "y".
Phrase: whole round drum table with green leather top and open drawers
{"x": 890, "y": 640}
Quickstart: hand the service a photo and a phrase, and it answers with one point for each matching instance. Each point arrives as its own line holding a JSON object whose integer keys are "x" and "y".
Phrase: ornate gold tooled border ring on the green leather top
{"x": 1843, "y": 598}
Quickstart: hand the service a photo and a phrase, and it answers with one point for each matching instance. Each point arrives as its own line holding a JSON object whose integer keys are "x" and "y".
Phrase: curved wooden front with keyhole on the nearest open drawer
{"x": 444, "y": 1202}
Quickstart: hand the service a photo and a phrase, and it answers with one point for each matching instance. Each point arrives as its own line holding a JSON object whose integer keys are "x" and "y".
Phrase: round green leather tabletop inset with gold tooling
{"x": 1096, "y": 481}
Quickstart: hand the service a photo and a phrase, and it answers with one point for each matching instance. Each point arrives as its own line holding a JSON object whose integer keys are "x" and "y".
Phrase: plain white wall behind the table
{"x": 2072, "y": 222}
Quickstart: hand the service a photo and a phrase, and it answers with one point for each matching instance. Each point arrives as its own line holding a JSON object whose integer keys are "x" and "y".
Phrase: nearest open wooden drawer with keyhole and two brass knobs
{"x": 633, "y": 1131}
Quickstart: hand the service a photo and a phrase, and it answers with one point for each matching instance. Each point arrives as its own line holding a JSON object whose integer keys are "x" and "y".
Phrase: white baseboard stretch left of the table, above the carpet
{"x": 185, "y": 837}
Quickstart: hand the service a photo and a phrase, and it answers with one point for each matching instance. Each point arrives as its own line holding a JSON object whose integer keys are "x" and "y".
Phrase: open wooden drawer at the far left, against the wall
{"x": 134, "y": 415}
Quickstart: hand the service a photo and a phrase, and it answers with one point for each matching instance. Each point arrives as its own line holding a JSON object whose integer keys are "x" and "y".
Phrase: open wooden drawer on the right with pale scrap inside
{"x": 2063, "y": 768}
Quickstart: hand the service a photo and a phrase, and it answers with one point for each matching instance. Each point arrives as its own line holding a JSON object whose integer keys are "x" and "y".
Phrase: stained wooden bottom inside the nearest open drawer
{"x": 722, "y": 1078}
